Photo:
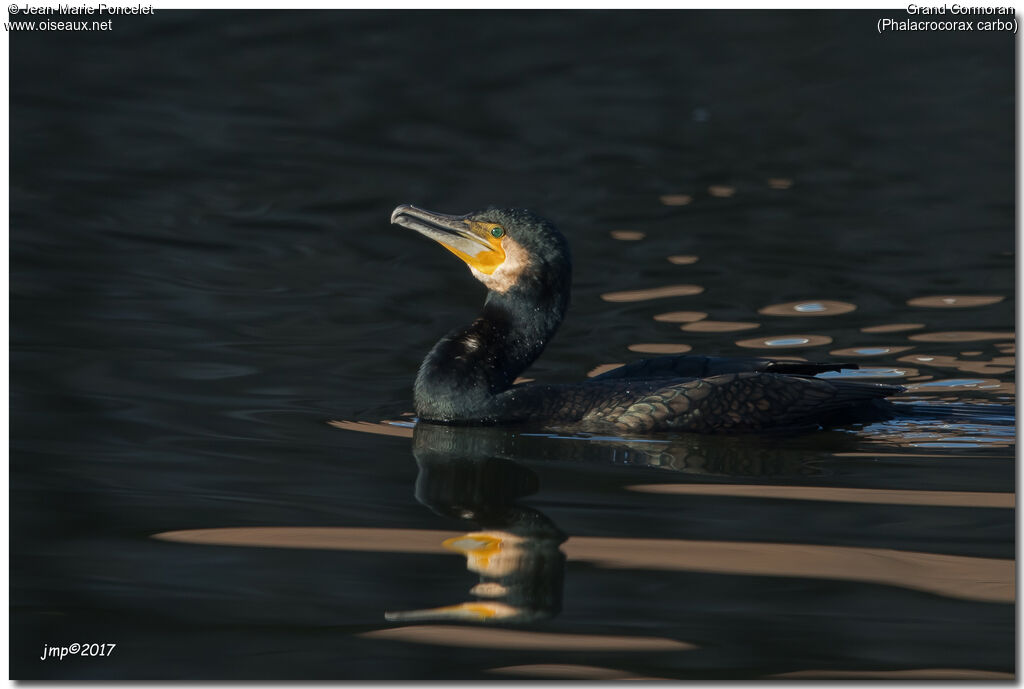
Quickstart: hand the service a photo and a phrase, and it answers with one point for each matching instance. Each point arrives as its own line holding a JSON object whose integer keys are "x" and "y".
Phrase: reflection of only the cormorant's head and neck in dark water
{"x": 516, "y": 550}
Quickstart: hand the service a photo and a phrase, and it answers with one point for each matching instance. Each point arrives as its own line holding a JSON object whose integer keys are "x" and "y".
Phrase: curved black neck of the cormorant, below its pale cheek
{"x": 464, "y": 372}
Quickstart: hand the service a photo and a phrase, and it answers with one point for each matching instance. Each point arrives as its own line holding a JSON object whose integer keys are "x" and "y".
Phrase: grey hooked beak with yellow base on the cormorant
{"x": 472, "y": 241}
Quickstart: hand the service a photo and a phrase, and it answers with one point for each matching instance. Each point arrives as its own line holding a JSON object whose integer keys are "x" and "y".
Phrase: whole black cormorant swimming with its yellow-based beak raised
{"x": 468, "y": 377}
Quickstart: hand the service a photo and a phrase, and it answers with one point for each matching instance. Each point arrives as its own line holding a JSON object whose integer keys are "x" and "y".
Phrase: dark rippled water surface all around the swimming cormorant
{"x": 203, "y": 276}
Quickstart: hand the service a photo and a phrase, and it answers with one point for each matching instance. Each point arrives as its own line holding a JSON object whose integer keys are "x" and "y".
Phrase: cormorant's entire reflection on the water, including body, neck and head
{"x": 474, "y": 475}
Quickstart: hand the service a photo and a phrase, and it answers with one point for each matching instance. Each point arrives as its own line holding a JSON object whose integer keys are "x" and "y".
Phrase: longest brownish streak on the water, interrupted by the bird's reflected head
{"x": 953, "y": 576}
